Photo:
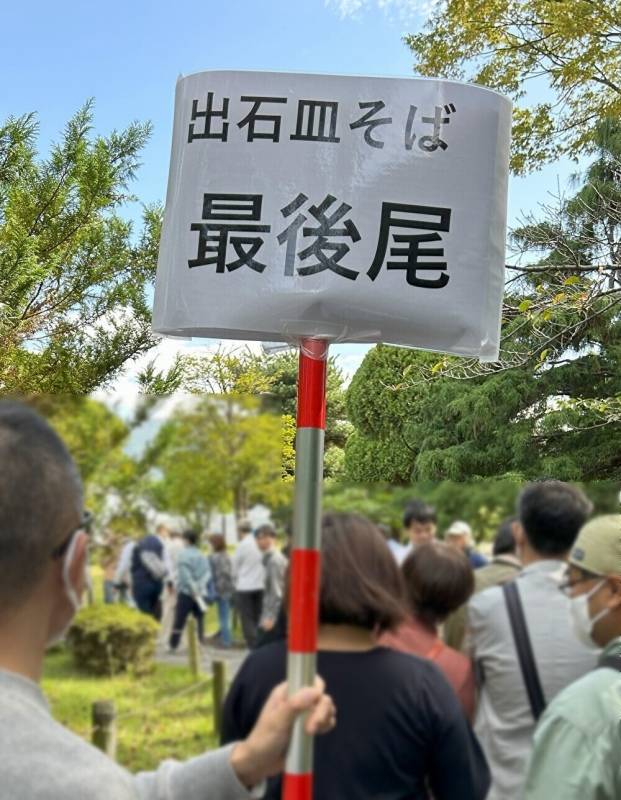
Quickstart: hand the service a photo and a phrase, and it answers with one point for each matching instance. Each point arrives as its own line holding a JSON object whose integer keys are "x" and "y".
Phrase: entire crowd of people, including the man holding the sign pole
{"x": 455, "y": 676}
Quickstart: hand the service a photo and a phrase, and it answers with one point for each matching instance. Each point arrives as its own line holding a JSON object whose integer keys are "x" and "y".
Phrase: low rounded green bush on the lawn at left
{"x": 108, "y": 639}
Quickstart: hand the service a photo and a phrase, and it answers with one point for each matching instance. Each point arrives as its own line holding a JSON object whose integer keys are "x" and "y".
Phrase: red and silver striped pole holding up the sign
{"x": 305, "y": 556}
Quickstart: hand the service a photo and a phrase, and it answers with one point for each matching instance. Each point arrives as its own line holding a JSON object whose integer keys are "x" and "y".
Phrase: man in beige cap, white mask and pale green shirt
{"x": 577, "y": 750}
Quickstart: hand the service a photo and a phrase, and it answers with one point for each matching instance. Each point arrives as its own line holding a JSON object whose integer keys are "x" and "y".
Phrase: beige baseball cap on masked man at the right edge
{"x": 598, "y": 546}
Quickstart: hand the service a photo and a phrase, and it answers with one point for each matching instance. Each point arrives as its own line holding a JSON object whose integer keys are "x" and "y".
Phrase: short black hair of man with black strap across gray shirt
{"x": 551, "y": 513}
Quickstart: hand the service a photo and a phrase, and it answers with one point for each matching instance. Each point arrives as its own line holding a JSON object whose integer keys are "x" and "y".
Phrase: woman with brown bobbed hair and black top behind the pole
{"x": 401, "y": 731}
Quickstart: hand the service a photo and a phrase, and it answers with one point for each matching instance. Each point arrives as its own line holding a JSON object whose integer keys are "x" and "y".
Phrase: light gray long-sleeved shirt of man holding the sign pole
{"x": 42, "y": 760}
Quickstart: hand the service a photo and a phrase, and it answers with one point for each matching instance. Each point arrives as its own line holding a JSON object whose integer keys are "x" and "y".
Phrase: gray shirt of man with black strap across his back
{"x": 504, "y": 721}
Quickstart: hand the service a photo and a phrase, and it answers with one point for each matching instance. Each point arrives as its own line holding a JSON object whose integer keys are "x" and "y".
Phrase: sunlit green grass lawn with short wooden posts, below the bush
{"x": 155, "y": 727}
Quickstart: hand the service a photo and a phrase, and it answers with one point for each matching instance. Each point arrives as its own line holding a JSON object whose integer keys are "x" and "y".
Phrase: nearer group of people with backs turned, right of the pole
{"x": 514, "y": 692}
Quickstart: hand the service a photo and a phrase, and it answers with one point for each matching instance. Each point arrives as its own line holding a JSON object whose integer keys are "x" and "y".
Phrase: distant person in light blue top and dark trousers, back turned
{"x": 193, "y": 573}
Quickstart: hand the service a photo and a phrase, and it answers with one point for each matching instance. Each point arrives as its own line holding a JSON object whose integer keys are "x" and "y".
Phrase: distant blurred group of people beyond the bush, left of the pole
{"x": 167, "y": 575}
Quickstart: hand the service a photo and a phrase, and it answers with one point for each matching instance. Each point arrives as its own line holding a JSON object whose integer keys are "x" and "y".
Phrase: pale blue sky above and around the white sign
{"x": 127, "y": 56}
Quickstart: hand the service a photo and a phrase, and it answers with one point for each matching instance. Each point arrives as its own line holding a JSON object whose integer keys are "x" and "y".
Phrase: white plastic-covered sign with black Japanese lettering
{"x": 358, "y": 209}
